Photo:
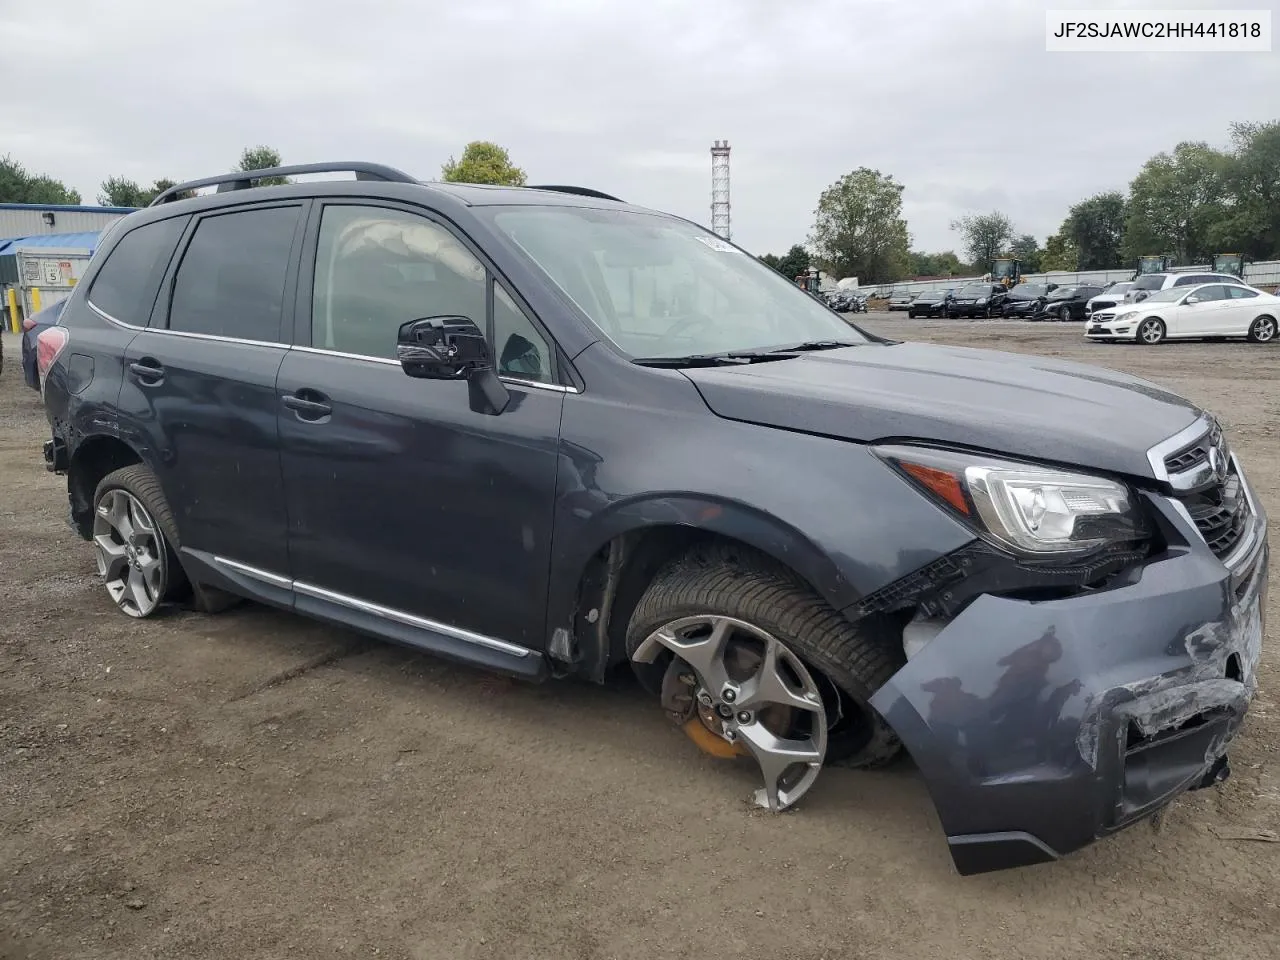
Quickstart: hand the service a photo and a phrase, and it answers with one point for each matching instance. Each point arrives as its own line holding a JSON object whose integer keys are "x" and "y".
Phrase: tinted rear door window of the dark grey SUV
{"x": 231, "y": 282}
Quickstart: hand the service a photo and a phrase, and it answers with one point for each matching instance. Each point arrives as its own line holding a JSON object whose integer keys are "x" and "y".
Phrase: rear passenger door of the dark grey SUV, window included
{"x": 200, "y": 383}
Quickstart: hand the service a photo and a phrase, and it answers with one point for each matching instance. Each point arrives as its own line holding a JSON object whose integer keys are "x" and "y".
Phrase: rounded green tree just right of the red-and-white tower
{"x": 860, "y": 230}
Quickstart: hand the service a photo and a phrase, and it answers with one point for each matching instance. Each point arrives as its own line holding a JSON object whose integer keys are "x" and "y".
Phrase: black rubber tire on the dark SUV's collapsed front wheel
{"x": 854, "y": 660}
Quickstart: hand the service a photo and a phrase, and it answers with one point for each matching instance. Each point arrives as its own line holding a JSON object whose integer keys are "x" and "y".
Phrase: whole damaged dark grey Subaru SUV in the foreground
{"x": 422, "y": 412}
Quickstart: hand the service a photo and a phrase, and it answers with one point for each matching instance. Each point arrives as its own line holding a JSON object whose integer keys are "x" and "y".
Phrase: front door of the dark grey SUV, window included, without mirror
{"x": 400, "y": 495}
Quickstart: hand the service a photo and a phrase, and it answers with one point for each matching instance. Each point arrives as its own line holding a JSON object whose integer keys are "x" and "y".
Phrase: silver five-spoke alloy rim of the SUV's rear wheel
{"x": 131, "y": 554}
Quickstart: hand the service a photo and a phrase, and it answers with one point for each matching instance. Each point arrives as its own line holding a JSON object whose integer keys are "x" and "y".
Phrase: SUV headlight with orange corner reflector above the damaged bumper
{"x": 1025, "y": 509}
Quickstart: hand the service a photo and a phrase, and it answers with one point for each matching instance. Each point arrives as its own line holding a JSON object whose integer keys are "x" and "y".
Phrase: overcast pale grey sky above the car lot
{"x": 958, "y": 99}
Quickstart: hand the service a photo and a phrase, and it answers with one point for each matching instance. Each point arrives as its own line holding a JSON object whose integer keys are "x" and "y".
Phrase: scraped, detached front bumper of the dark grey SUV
{"x": 1043, "y": 726}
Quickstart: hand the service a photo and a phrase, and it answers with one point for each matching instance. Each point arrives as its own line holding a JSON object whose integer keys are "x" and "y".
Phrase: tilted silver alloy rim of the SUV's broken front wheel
{"x": 752, "y": 692}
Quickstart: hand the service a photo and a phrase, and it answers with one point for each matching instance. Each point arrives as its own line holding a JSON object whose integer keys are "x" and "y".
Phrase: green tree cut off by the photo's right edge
{"x": 1251, "y": 223}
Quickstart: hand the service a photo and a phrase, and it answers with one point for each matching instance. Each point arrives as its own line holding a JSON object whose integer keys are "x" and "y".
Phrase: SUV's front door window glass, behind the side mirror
{"x": 378, "y": 269}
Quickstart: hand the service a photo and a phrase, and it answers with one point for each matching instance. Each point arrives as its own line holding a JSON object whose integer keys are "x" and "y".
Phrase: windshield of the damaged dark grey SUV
{"x": 660, "y": 287}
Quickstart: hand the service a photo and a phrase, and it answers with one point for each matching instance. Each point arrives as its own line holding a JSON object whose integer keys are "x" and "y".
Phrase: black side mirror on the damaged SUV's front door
{"x": 452, "y": 349}
